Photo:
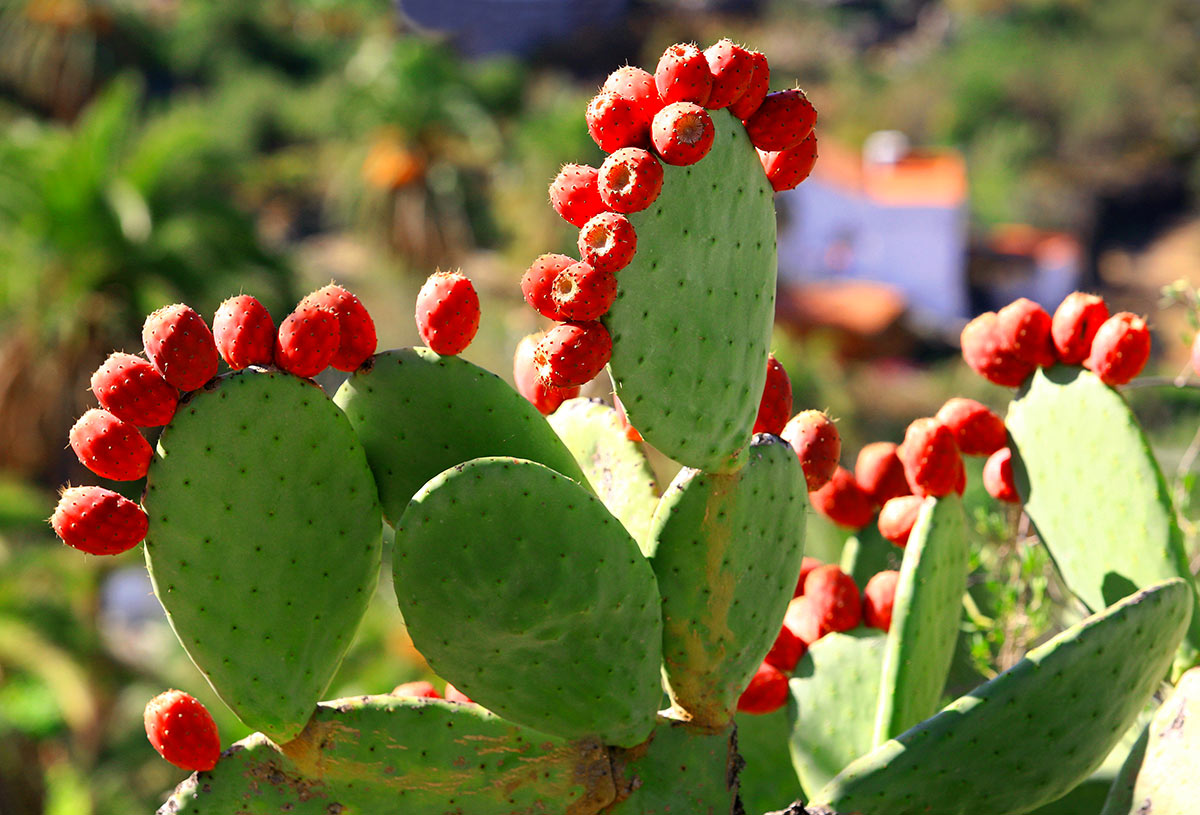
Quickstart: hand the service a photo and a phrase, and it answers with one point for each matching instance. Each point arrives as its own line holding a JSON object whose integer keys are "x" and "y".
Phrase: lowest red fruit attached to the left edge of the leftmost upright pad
{"x": 99, "y": 522}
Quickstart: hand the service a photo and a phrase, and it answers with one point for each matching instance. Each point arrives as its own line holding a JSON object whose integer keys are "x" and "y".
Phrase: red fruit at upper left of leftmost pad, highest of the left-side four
{"x": 181, "y": 346}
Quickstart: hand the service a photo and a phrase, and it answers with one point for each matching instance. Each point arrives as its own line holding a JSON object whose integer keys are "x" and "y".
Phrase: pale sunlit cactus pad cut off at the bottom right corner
{"x": 1168, "y": 782}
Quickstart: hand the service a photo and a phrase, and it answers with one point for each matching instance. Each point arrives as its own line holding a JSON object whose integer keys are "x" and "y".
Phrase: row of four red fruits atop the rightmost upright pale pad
{"x": 1009, "y": 346}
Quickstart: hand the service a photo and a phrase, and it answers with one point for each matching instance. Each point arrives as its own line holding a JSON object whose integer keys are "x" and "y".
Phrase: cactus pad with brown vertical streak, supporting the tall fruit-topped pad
{"x": 728, "y": 552}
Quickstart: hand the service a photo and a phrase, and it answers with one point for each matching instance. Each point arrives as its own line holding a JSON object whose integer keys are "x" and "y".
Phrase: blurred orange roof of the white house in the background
{"x": 921, "y": 179}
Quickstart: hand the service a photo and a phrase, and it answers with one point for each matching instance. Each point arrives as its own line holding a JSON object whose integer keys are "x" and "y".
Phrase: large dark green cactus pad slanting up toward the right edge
{"x": 1049, "y": 721}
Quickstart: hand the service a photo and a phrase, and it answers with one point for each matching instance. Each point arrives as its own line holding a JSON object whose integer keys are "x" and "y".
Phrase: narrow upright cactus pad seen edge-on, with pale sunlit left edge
{"x": 925, "y": 619}
